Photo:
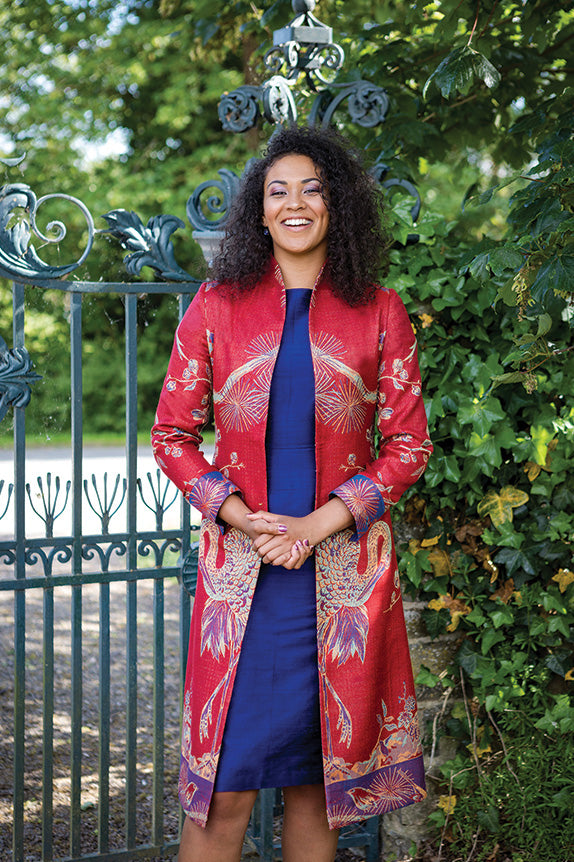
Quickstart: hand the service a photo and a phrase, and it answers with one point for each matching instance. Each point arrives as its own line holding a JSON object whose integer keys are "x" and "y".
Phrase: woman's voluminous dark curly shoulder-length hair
{"x": 357, "y": 245}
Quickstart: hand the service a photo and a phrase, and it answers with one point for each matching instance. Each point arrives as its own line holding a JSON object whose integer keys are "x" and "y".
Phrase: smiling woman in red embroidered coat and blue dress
{"x": 299, "y": 673}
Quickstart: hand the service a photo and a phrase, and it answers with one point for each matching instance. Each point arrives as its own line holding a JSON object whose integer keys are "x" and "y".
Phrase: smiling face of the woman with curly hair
{"x": 295, "y": 212}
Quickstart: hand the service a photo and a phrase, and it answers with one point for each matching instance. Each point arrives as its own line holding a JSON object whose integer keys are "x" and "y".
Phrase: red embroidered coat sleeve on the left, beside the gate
{"x": 183, "y": 411}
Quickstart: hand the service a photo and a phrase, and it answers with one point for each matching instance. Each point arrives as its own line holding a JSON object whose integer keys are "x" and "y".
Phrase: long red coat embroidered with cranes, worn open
{"x": 366, "y": 375}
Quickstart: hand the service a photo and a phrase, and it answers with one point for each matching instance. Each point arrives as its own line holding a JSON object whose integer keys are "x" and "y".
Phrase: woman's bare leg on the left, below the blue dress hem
{"x": 222, "y": 838}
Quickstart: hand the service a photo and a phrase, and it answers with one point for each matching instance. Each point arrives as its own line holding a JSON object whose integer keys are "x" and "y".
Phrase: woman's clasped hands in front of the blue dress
{"x": 280, "y": 540}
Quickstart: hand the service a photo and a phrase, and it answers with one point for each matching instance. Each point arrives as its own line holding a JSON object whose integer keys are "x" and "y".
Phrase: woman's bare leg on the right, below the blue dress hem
{"x": 306, "y": 833}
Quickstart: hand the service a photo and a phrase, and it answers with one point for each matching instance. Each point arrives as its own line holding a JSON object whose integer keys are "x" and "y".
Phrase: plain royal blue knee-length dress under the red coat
{"x": 272, "y": 735}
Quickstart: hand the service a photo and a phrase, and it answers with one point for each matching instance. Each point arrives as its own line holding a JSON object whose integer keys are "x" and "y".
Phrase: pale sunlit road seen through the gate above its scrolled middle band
{"x": 97, "y": 462}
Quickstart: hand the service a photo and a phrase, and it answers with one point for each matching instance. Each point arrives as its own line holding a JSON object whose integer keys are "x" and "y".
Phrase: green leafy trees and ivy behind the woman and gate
{"x": 118, "y": 100}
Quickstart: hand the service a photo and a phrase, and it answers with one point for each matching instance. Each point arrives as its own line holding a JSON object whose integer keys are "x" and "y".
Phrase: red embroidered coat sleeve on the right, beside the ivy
{"x": 404, "y": 445}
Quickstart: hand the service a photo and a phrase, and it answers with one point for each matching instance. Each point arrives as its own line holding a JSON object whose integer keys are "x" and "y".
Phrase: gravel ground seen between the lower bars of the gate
{"x": 90, "y": 734}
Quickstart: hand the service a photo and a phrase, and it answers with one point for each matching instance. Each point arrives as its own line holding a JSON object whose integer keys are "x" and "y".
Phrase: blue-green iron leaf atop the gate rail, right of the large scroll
{"x": 149, "y": 245}
